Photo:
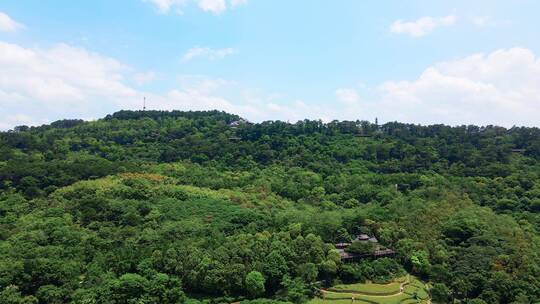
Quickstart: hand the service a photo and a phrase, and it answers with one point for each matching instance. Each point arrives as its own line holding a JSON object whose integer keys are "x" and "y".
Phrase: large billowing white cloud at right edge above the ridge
{"x": 497, "y": 88}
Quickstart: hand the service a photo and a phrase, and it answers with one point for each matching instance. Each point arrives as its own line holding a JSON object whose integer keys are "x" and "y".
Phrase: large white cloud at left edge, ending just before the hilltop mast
{"x": 60, "y": 82}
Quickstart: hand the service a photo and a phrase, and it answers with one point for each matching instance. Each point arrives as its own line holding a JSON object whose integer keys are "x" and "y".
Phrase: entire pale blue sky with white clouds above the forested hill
{"x": 453, "y": 62}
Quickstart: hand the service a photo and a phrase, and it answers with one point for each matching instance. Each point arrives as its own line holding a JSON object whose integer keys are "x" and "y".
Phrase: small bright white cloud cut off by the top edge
{"x": 213, "y": 6}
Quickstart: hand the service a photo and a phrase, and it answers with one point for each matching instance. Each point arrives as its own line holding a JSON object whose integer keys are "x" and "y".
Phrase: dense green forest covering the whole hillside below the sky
{"x": 205, "y": 207}
